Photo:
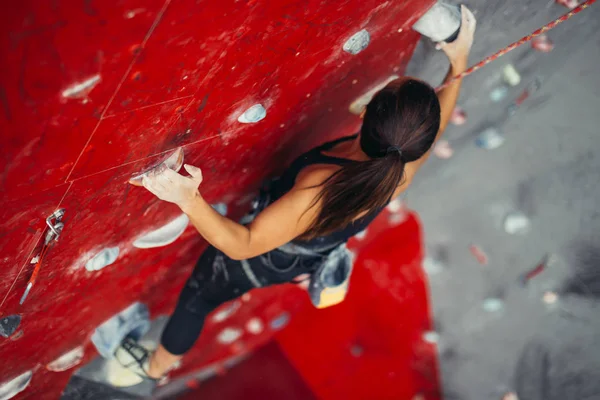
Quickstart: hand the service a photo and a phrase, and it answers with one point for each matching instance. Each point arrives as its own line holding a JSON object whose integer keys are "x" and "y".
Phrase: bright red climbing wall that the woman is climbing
{"x": 94, "y": 92}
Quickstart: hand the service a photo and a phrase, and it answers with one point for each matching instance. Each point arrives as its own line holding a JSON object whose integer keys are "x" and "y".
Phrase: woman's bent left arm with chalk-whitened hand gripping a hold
{"x": 280, "y": 223}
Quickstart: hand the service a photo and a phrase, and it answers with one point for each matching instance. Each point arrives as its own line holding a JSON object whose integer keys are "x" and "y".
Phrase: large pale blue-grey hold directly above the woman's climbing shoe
{"x": 133, "y": 321}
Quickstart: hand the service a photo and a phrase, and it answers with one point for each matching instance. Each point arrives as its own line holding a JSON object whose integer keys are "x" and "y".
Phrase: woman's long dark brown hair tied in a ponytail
{"x": 399, "y": 126}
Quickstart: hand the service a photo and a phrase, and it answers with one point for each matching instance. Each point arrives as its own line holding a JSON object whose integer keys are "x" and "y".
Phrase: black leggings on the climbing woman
{"x": 217, "y": 279}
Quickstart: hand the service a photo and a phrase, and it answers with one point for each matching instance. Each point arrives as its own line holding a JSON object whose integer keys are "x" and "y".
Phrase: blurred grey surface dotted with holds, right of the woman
{"x": 548, "y": 169}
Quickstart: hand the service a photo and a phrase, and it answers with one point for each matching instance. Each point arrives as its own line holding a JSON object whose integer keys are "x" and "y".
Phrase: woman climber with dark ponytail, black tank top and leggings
{"x": 303, "y": 220}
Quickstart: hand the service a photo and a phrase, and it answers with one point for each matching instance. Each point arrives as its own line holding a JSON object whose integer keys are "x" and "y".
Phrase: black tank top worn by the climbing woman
{"x": 287, "y": 180}
